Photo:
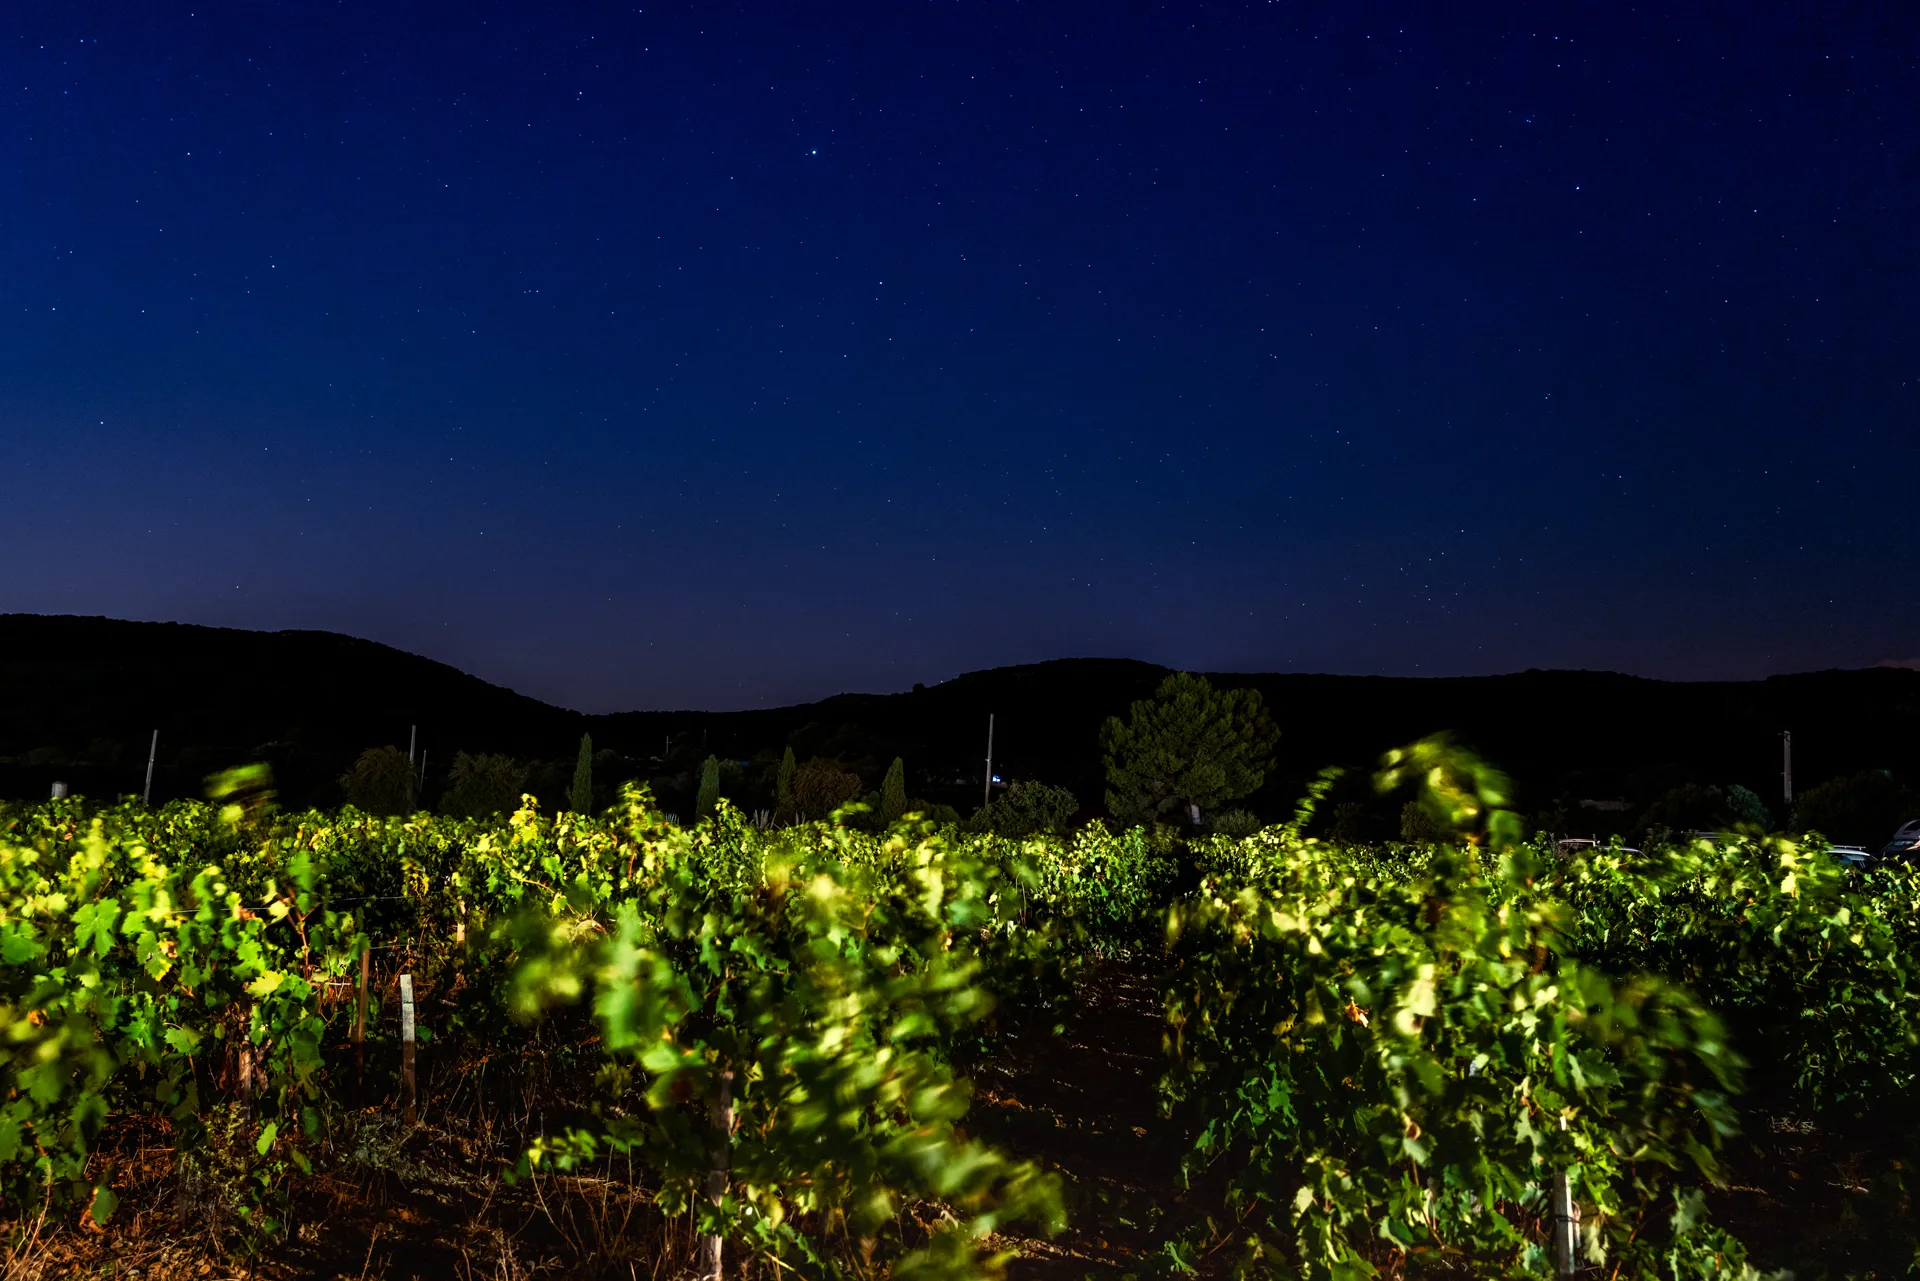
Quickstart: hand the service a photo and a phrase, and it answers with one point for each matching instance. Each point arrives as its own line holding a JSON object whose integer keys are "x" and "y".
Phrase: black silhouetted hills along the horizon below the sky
{"x": 80, "y": 698}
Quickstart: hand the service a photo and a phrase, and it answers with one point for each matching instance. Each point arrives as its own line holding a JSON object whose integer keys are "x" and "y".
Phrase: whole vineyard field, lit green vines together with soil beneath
{"x": 312, "y": 1044}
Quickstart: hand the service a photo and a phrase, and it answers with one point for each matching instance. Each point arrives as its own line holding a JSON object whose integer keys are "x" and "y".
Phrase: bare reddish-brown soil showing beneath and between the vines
{"x": 427, "y": 1201}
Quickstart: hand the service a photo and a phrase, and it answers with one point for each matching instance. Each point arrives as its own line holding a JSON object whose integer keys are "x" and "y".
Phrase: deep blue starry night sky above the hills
{"x": 738, "y": 354}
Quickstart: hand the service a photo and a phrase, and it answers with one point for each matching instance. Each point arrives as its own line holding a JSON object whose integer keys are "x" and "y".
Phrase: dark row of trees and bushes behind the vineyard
{"x": 1180, "y": 761}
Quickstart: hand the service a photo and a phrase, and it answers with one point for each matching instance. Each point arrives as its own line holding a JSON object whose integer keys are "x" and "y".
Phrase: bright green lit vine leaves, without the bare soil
{"x": 1387, "y": 1053}
